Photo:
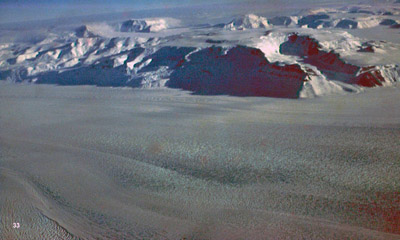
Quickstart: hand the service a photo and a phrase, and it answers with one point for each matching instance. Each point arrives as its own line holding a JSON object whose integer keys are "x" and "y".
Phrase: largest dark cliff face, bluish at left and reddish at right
{"x": 242, "y": 71}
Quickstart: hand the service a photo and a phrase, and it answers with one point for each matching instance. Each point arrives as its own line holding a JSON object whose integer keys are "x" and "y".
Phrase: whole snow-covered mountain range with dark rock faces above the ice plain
{"x": 283, "y": 56}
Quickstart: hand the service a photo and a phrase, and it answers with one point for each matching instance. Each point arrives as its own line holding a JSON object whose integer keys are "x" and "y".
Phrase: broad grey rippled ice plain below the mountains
{"x": 163, "y": 164}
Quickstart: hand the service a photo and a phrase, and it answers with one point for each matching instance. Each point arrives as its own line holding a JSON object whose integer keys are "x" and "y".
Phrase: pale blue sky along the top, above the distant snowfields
{"x": 28, "y": 10}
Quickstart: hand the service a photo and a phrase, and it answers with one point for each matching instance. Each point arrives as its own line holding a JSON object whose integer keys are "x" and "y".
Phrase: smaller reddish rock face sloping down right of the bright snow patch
{"x": 330, "y": 63}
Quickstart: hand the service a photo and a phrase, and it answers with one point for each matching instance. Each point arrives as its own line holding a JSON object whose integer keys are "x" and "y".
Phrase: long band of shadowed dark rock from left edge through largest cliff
{"x": 239, "y": 71}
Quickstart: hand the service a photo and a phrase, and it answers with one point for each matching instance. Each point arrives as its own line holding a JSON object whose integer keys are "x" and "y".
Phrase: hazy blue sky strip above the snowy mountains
{"x": 27, "y": 10}
